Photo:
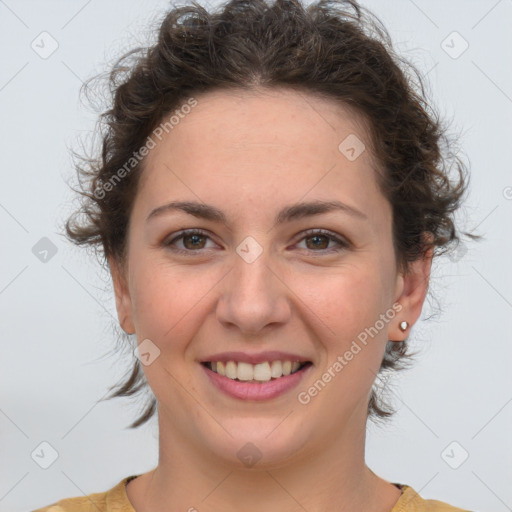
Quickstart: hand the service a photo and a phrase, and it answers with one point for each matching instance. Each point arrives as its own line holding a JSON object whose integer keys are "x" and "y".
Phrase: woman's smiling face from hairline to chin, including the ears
{"x": 257, "y": 282}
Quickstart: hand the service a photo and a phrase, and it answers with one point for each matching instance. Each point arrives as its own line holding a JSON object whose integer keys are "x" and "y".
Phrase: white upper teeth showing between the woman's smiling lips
{"x": 261, "y": 372}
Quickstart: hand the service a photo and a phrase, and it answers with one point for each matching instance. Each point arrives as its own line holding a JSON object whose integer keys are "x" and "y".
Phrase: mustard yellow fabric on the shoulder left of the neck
{"x": 113, "y": 500}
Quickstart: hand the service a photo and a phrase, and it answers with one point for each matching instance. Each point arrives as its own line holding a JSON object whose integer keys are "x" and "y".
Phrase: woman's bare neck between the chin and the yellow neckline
{"x": 334, "y": 478}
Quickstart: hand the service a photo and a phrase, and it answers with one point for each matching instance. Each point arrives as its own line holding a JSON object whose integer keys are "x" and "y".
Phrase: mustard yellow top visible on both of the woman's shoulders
{"x": 116, "y": 500}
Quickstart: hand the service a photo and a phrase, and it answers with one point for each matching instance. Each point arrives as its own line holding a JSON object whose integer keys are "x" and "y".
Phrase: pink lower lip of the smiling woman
{"x": 255, "y": 391}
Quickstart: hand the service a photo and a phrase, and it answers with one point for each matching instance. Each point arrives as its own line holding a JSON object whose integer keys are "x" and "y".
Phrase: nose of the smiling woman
{"x": 253, "y": 297}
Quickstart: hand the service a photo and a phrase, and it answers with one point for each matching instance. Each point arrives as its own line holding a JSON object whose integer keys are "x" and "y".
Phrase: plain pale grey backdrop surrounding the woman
{"x": 55, "y": 315}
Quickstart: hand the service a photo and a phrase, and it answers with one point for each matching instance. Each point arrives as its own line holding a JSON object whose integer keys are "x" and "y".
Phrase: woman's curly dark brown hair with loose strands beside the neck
{"x": 335, "y": 49}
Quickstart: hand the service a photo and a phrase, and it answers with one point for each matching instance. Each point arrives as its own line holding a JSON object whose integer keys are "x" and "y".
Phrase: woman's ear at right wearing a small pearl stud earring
{"x": 410, "y": 292}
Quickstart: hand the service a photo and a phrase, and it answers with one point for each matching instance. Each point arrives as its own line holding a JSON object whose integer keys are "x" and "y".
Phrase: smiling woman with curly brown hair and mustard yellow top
{"x": 270, "y": 195}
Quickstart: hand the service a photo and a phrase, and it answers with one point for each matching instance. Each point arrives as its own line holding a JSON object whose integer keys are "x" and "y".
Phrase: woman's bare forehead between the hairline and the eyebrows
{"x": 245, "y": 146}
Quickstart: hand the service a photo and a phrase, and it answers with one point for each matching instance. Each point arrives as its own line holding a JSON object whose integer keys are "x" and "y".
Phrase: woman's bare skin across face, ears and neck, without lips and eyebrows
{"x": 250, "y": 154}
